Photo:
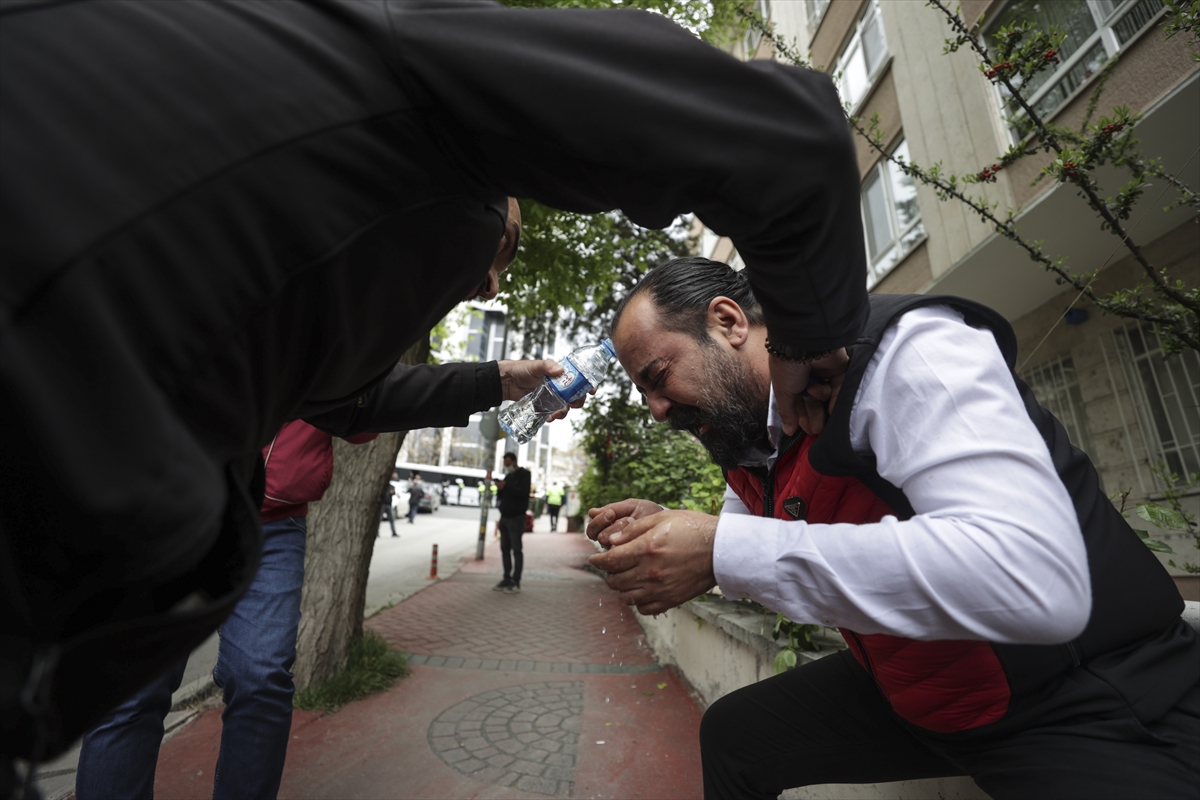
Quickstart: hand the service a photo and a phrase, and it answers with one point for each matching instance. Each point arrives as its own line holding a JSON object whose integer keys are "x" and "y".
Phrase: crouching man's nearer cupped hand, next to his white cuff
{"x": 661, "y": 561}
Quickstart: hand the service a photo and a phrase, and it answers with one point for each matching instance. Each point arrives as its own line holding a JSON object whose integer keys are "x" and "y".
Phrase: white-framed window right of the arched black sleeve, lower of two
{"x": 891, "y": 216}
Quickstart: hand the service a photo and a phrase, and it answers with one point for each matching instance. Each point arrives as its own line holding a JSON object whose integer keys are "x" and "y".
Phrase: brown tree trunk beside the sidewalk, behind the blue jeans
{"x": 343, "y": 530}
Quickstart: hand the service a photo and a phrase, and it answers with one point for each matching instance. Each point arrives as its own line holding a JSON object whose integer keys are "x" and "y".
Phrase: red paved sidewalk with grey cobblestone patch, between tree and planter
{"x": 550, "y": 693}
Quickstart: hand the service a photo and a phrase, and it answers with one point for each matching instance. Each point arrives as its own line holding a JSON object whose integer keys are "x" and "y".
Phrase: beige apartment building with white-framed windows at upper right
{"x": 1123, "y": 402}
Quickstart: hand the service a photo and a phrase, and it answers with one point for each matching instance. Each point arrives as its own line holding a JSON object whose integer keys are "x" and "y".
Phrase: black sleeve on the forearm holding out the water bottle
{"x": 423, "y": 396}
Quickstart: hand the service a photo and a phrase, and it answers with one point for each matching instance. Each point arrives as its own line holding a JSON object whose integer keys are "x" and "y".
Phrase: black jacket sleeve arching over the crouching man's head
{"x": 596, "y": 110}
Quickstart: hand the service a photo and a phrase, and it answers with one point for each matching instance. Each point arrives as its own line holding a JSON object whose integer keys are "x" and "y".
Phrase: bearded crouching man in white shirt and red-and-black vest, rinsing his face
{"x": 1003, "y": 619}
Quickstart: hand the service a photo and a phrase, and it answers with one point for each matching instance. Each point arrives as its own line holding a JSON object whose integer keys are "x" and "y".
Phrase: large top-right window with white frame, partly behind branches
{"x": 1096, "y": 31}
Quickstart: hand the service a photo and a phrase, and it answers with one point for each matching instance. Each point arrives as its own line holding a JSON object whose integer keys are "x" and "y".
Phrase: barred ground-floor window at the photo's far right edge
{"x": 1167, "y": 392}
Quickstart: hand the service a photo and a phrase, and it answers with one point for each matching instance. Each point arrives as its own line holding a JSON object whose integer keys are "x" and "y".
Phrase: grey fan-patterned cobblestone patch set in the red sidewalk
{"x": 523, "y": 737}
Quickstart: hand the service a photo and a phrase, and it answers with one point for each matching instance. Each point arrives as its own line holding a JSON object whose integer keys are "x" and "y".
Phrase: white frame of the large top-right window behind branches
{"x": 1106, "y": 34}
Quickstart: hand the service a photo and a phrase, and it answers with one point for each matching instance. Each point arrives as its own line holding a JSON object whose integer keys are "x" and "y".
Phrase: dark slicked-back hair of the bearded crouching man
{"x": 682, "y": 290}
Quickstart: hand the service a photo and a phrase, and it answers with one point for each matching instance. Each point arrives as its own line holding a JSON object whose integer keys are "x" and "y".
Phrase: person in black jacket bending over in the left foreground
{"x": 219, "y": 218}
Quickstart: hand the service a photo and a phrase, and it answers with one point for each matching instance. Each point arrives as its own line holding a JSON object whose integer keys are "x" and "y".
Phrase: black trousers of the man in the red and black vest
{"x": 827, "y": 723}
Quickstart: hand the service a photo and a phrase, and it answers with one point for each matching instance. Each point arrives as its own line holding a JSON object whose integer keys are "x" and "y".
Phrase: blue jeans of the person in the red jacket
{"x": 259, "y": 647}
